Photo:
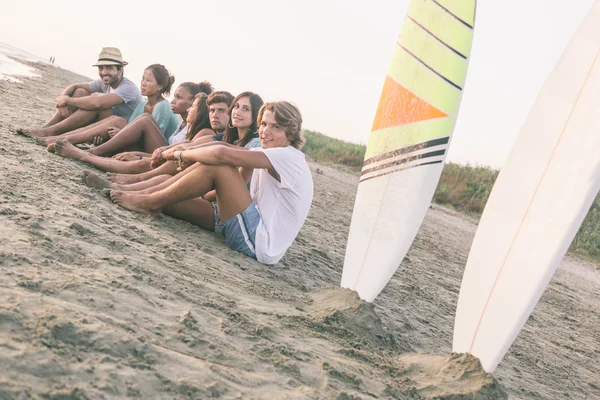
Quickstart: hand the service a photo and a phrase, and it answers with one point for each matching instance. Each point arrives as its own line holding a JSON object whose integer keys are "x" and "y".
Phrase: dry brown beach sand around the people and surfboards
{"x": 98, "y": 302}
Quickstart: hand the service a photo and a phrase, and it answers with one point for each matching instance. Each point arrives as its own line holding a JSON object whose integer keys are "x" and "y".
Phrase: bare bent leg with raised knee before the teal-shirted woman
{"x": 143, "y": 129}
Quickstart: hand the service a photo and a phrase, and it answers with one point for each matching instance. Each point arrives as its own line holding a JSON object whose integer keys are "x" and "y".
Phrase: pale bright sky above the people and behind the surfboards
{"x": 329, "y": 57}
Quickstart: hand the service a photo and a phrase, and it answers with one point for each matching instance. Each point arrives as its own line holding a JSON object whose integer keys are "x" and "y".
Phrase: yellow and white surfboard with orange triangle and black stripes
{"x": 409, "y": 140}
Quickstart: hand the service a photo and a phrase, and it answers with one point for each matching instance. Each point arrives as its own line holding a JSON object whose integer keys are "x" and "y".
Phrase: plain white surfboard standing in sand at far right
{"x": 540, "y": 199}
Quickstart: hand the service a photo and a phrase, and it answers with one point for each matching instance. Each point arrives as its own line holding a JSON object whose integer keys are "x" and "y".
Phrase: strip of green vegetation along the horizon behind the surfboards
{"x": 465, "y": 188}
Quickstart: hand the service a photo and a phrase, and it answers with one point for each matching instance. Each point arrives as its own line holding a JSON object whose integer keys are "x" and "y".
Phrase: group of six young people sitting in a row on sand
{"x": 224, "y": 163}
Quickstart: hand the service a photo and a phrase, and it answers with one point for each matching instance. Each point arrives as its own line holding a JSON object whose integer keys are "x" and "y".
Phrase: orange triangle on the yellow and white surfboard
{"x": 399, "y": 106}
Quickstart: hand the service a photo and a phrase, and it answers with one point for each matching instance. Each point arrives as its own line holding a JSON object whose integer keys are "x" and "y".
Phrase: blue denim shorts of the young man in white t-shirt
{"x": 239, "y": 231}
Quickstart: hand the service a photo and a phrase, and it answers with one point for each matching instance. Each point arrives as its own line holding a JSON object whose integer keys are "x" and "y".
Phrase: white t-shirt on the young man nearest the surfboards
{"x": 283, "y": 206}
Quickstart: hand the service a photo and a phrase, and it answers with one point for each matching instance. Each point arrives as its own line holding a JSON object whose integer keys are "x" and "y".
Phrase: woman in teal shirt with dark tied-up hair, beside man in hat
{"x": 156, "y": 84}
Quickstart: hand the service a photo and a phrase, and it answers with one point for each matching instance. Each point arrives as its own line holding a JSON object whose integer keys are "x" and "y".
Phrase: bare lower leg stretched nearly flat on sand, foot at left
{"x": 67, "y": 150}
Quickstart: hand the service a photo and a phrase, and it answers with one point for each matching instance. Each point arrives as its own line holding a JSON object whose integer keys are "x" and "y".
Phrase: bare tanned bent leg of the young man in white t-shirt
{"x": 232, "y": 194}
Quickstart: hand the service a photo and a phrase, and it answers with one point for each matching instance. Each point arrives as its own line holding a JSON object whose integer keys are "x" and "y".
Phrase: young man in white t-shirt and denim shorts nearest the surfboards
{"x": 261, "y": 222}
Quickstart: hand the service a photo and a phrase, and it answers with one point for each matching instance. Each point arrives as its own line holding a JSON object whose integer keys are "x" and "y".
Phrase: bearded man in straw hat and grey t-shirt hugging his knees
{"x": 83, "y": 103}
